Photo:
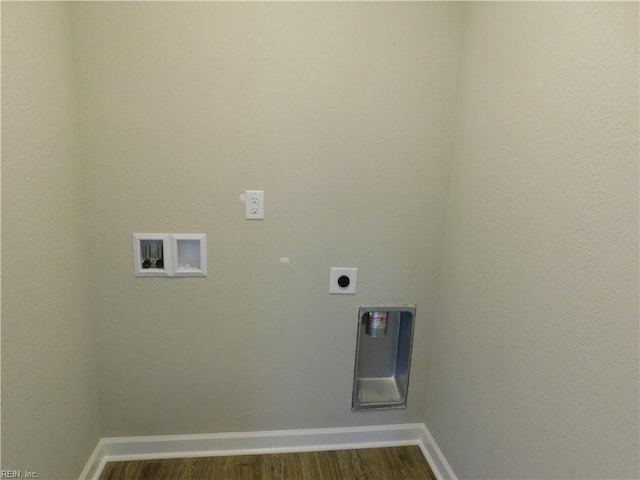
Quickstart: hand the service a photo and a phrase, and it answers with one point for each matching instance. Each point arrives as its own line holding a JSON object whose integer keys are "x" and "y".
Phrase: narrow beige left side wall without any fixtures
{"x": 49, "y": 396}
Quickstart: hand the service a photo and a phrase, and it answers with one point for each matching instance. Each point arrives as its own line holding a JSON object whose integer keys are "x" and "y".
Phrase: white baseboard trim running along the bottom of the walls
{"x": 277, "y": 441}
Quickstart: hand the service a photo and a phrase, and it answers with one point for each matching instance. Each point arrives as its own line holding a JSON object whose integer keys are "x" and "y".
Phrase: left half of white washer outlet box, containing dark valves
{"x": 150, "y": 254}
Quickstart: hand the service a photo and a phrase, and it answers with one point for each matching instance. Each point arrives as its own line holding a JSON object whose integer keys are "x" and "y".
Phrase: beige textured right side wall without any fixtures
{"x": 535, "y": 365}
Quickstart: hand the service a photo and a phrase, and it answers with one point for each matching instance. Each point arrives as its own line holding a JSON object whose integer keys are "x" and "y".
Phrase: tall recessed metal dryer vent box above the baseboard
{"x": 383, "y": 357}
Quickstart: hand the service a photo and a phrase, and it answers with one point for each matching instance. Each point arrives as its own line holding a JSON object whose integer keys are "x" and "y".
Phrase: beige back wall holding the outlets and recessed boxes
{"x": 342, "y": 114}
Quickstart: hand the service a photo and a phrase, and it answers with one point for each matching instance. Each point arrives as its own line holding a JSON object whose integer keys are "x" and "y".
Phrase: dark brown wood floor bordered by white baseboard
{"x": 394, "y": 463}
